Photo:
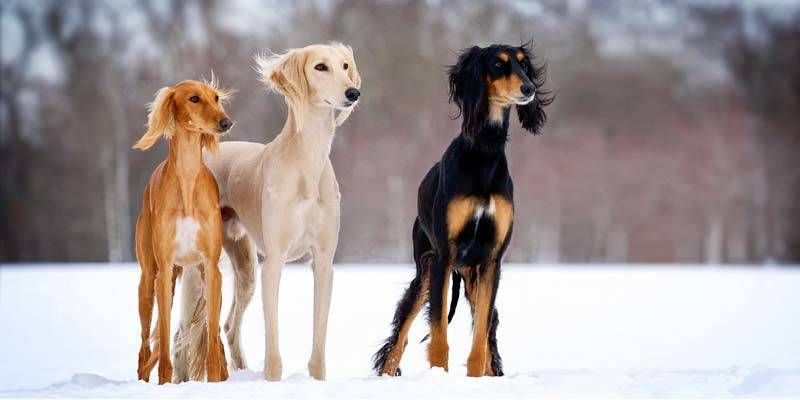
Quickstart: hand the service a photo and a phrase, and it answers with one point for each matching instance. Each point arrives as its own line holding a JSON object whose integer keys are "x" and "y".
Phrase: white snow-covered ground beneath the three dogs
{"x": 565, "y": 332}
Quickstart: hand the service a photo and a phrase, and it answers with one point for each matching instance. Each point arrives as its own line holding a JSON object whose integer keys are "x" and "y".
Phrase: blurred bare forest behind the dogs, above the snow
{"x": 674, "y": 137}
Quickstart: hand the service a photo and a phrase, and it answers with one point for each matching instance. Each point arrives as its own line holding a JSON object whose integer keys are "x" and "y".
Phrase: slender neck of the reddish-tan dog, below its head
{"x": 185, "y": 160}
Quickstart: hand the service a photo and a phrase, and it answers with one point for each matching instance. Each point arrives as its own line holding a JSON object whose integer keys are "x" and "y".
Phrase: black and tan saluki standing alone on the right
{"x": 466, "y": 209}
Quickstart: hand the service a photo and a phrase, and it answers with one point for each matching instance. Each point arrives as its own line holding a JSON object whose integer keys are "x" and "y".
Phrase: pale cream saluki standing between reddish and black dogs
{"x": 283, "y": 198}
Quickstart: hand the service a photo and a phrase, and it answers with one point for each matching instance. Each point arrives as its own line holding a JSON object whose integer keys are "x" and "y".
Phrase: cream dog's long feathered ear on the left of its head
{"x": 285, "y": 74}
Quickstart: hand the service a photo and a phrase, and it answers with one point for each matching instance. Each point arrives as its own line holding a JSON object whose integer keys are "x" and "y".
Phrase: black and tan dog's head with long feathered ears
{"x": 497, "y": 77}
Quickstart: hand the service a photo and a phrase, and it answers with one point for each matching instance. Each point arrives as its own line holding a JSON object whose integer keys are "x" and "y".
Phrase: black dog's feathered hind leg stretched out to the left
{"x": 386, "y": 360}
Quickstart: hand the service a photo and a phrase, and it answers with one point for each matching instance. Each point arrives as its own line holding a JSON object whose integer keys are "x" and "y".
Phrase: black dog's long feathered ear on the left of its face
{"x": 468, "y": 91}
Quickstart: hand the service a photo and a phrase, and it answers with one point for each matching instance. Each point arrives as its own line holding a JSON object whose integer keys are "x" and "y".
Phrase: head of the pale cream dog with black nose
{"x": 316, "y": 75}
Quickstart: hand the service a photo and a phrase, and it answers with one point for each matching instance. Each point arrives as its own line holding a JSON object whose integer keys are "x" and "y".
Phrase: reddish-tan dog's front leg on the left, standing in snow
{"x": 164, "y": 300}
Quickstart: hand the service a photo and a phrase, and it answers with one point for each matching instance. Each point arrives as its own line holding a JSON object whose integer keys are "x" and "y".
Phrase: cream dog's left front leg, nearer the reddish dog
{"x": 270, "y": 282}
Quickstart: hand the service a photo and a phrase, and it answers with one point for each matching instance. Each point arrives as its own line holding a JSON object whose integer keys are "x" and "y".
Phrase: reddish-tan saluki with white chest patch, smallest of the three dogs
{"x": 179, "y": 225}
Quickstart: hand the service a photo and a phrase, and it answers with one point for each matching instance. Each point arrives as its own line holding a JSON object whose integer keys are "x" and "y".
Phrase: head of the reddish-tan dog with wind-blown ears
{"x": 191, "y": 106}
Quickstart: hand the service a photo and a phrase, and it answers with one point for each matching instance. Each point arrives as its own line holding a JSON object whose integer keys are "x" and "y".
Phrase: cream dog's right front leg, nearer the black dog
{"x": 323, "y": 283}
